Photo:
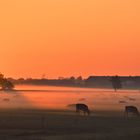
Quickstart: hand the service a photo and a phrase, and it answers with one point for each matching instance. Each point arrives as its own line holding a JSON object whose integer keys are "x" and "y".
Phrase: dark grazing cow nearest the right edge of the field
{"x": 131, "y": 109}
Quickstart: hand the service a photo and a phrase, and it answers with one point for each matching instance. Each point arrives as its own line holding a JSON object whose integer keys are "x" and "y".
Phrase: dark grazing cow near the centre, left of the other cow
{"x": 83, "y": 108}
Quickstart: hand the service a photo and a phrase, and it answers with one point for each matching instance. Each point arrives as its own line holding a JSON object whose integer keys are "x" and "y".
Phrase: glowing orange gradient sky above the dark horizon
{"x": 69, "y": 37}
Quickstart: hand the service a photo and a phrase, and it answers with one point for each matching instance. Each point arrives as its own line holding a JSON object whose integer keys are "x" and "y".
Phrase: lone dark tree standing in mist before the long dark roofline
{"x": 116, "y": 82}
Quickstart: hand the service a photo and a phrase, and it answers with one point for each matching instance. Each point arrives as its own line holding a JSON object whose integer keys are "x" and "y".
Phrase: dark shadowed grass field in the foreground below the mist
{"x": 66, "y": 125}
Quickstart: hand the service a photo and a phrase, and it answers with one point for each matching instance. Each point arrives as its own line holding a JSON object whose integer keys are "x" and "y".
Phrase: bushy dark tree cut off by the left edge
{"x": 5, "y": 84}
